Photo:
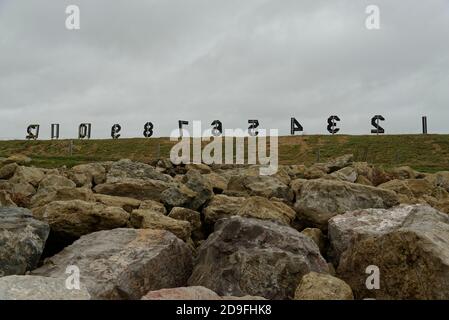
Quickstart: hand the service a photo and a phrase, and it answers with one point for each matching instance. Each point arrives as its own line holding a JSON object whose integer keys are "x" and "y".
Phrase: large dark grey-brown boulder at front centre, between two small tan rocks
{"x": 246, "y": 256}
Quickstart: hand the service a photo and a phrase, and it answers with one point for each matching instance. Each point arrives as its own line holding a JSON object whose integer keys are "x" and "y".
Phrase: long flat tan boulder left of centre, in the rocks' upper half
{"x": 134, "y": 188}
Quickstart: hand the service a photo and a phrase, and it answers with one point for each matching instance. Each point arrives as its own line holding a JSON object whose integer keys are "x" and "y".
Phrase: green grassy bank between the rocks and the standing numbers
{"x": 428, "y": 153}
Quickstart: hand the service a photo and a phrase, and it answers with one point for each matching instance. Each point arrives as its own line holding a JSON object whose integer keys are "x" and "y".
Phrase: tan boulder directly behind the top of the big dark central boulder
{"x": 262, "y": 208}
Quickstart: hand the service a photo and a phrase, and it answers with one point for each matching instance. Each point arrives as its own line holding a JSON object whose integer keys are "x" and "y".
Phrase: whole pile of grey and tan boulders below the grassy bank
{"x": 141, "y": 231}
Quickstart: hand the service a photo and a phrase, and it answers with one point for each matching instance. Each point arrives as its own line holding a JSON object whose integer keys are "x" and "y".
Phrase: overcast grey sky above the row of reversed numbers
{"x": 232, "y": 60}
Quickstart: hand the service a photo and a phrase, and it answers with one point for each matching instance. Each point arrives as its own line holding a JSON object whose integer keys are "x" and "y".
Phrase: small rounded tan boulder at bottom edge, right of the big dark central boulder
{"x": 319, "y": 286}
